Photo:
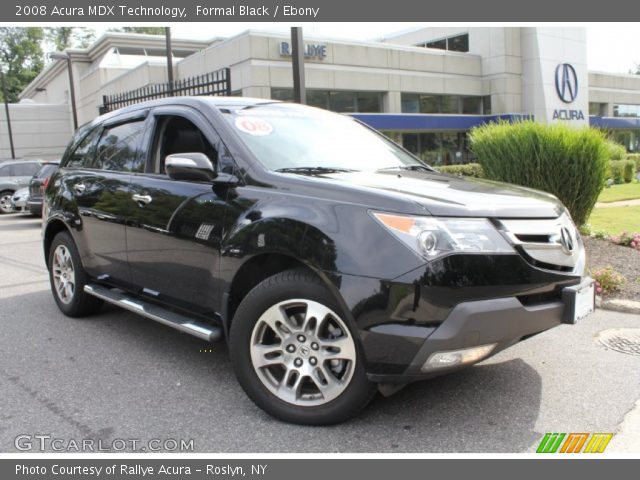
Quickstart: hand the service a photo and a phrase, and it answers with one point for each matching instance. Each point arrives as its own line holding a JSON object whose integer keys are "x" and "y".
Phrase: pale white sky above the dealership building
{"x": 611, "y": 47}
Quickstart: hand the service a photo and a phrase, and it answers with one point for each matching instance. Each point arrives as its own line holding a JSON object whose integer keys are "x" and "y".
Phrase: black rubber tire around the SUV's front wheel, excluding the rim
{"x": 282, "y": 287}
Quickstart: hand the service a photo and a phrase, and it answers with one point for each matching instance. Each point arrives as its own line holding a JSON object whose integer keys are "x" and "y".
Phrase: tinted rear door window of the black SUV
{"x": 119, "y": 148}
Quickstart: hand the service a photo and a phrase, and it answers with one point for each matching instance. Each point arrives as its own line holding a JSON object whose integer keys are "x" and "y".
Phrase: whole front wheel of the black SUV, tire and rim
{"x": 296, "y": 367}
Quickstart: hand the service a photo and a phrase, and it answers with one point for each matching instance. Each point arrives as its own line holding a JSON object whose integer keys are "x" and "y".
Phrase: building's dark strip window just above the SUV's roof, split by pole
{"x": 336, "y": 100}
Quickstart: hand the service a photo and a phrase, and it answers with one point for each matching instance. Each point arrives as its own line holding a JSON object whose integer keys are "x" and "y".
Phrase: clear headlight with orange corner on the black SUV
{"x": 431, "y": 237}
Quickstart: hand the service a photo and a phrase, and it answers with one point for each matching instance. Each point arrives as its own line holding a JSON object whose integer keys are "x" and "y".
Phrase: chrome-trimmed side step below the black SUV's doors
{"x": 175, "y": 320}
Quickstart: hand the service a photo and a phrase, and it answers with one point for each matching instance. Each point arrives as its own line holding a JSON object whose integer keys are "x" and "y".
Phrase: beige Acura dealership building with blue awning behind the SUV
{"x": 425, "y": 88}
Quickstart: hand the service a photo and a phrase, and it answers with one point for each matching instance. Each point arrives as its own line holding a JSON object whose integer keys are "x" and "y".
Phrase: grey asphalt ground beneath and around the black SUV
{"x": 119, "y": 376}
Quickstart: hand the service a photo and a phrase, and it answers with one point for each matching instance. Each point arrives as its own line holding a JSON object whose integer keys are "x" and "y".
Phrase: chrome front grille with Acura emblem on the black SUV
{"x": 552, "y": 244}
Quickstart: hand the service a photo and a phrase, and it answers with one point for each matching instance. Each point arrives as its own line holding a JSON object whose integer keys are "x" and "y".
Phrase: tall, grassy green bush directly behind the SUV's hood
{"x": 568, "y": 162}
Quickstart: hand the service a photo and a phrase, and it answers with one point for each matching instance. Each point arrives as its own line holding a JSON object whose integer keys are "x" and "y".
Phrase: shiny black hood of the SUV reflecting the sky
{"x": 448, "y": 195}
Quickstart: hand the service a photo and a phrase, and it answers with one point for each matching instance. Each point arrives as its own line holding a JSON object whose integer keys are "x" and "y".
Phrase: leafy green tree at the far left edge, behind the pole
{"x": 21, "y": 57}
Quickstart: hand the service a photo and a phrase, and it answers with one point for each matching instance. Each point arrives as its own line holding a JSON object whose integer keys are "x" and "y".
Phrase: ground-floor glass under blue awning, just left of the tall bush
{"x": 439, "y": 148}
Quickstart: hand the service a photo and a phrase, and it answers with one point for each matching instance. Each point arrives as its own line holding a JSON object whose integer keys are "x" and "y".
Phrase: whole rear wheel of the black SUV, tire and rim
{"x": 68, "y": 278}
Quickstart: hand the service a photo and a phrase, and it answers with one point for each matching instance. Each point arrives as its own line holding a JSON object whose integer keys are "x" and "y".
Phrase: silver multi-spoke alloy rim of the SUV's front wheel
{"x": 303, "y": 352}
